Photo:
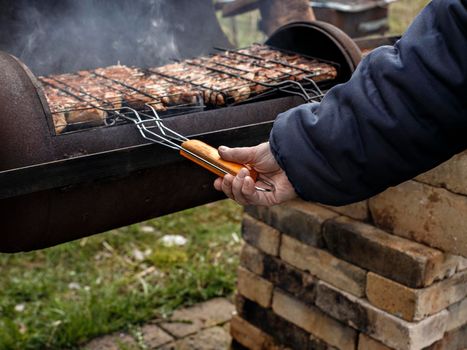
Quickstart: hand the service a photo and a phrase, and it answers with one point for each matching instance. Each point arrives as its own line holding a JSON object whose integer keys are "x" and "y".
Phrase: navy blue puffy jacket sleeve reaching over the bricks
{"x": 403, "y": 112}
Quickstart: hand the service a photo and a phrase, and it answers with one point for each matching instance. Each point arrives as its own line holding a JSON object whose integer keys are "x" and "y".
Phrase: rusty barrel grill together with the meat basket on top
{"x": 59, "y": 188}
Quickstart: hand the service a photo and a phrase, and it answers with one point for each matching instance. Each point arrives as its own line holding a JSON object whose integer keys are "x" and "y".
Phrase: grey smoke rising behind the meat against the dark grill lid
{"x": 56, "y": 36}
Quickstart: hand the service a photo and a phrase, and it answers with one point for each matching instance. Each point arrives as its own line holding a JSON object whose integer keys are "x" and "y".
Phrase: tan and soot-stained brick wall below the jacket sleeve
{"x": 387, "y": 273}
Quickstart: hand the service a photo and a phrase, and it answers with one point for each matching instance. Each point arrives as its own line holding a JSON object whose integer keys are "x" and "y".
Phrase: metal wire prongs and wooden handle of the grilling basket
{"x": 195, "y": 150}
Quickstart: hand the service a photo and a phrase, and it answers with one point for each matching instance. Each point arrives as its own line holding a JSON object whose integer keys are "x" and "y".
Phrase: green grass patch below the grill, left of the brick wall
{"x": 62, "y": 296}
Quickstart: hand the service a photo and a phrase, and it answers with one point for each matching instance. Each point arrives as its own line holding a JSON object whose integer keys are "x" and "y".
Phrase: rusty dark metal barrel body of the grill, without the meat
{"x": 55, "y": 189}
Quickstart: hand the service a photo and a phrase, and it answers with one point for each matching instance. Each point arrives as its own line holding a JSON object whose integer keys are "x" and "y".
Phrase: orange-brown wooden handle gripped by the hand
{"x": 211, "y": 155}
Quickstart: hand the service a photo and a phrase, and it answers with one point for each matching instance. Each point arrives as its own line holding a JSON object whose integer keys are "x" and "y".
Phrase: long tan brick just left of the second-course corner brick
{"x": 323, "y": 265}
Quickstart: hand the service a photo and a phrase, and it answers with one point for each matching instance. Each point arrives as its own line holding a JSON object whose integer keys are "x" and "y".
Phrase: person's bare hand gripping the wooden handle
{"x": 241, "y": 188}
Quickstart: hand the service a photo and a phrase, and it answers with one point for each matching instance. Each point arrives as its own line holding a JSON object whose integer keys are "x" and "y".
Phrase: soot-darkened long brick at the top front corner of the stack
{"x": 407, "y": 262}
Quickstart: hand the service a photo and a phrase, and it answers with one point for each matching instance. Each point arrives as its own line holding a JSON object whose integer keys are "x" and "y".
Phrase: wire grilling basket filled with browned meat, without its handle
{"x": 92, "y": 98}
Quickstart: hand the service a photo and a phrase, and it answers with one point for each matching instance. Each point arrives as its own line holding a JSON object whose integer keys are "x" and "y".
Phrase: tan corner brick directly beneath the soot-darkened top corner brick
{"x": 415, "y": 304}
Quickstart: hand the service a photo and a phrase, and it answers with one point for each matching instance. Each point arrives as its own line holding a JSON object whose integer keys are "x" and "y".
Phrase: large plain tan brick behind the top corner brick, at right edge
{"x": 425, "y": 214}
